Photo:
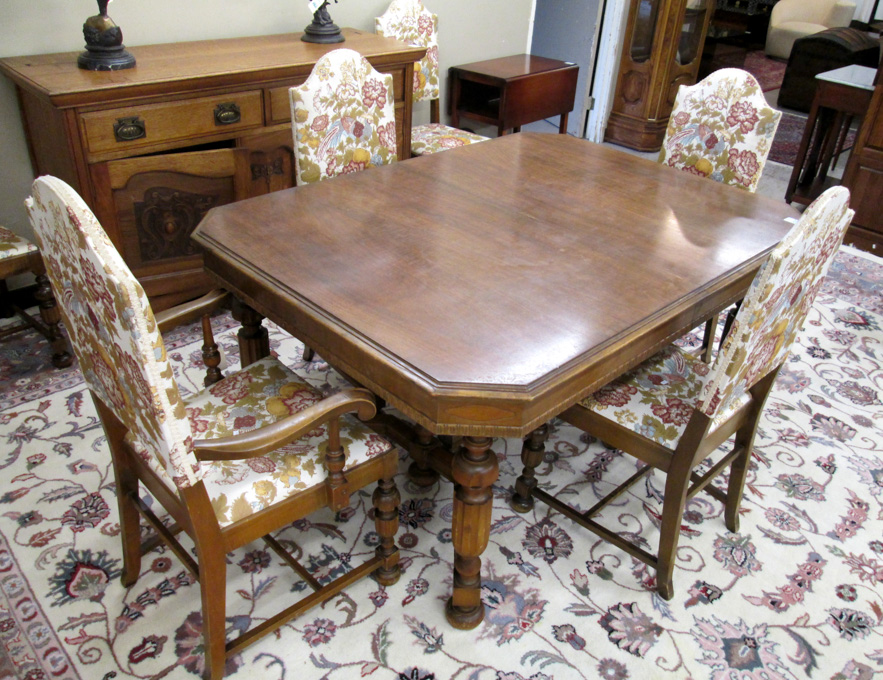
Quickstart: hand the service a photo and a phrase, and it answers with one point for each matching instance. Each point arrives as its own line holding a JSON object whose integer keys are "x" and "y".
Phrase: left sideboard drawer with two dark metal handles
{"x": 136, "y": 127}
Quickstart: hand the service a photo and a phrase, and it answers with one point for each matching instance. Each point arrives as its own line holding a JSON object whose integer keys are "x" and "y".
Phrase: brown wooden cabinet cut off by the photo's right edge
{"x": 864, "y": 179}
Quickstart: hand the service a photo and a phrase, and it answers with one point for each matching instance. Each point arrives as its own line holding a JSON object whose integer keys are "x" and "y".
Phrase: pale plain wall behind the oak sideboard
{"x": 468, "y": 31}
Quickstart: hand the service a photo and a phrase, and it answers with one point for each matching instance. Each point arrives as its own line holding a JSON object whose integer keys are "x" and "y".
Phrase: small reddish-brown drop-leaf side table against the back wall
{"x": 512, "y": 91}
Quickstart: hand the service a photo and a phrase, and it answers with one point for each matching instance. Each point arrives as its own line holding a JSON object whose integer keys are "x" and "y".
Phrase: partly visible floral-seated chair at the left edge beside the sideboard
{"x": 19, "y": 256}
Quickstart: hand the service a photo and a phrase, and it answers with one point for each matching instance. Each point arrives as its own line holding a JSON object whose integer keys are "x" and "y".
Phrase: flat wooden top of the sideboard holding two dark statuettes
{"x": 210, "y": 63}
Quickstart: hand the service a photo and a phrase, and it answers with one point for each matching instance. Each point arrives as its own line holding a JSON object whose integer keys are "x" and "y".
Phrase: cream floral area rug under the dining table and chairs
{"x": 797, "y": 593}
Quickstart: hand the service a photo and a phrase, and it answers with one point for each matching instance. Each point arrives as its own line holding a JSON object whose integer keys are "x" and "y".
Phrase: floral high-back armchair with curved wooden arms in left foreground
{"x": 248, "y": 455}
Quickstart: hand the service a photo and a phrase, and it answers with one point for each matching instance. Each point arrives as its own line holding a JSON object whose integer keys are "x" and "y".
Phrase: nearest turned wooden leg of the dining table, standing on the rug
{"x": 473, "y": 470}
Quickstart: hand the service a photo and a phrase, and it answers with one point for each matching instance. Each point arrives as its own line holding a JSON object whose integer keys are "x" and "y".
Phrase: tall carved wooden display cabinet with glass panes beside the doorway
{"x": 662, "y": 50}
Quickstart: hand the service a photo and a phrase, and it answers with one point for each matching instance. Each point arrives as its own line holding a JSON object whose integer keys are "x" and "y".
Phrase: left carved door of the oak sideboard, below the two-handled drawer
{"x": 150, "y": 205}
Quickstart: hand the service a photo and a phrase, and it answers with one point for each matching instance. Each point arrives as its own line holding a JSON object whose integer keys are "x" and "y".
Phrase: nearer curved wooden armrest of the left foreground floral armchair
{"x": 259, "y": 442}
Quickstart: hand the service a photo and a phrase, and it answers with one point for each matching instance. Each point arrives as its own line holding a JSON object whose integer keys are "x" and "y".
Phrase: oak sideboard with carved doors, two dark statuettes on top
{"x": 176, "y": 110}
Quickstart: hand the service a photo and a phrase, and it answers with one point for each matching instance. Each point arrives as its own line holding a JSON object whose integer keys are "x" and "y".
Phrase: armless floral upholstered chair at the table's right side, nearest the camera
{"x": 673, "y": 411}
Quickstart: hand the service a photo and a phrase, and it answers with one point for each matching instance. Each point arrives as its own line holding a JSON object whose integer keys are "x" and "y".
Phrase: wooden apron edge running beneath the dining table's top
{"x": 456, "y": 409}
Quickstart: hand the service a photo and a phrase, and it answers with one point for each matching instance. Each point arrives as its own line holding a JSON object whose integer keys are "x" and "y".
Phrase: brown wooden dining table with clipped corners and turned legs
{"x": 481, "y": 291}
